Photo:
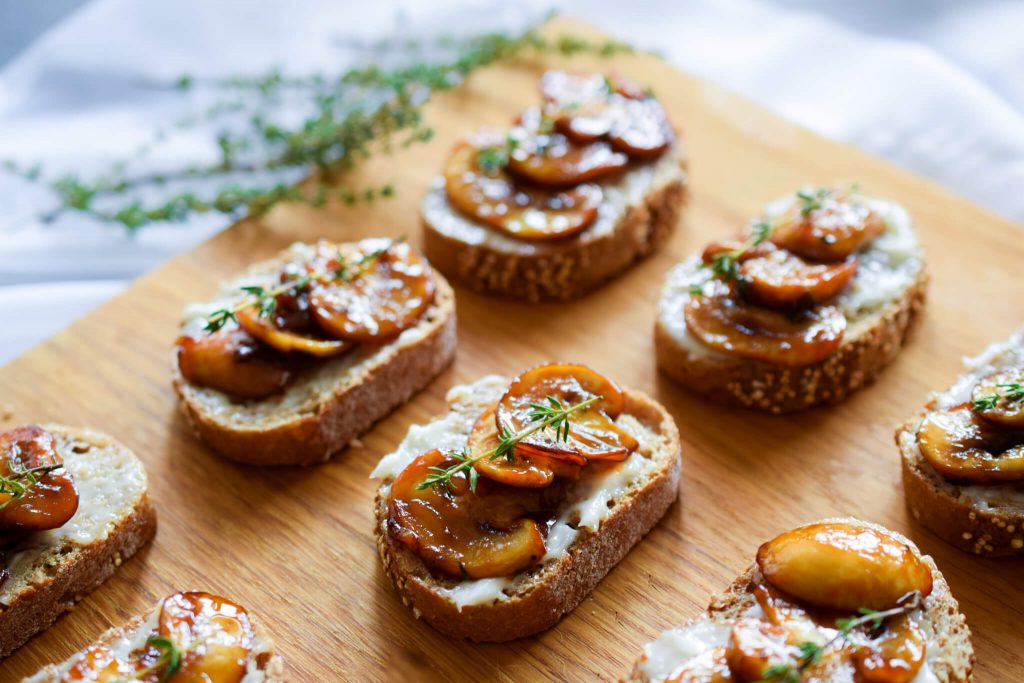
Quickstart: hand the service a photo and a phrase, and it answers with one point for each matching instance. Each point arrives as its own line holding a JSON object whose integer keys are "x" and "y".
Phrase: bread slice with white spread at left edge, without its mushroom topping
{"x": 52, "y": 571}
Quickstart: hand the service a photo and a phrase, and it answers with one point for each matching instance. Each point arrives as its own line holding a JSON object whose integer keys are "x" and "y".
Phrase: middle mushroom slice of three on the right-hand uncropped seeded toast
{"x": 782, "y": 280}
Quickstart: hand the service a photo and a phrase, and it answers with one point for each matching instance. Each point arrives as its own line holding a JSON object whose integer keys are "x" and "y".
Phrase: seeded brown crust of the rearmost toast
{"x": 561, "y": 270}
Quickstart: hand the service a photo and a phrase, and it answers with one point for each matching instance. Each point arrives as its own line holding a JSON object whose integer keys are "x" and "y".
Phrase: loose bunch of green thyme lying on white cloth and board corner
{"x": 263, "y": 149}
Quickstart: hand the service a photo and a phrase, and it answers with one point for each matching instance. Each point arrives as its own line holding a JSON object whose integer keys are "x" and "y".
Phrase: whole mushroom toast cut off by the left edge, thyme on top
{"x": 74, "y": 506}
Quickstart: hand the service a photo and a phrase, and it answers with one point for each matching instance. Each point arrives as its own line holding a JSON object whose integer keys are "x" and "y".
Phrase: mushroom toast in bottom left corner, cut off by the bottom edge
{"x": 188, "y": 637}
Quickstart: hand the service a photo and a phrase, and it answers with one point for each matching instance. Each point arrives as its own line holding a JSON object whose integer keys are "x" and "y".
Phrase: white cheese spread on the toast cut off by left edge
{"x": 110, "y": 483}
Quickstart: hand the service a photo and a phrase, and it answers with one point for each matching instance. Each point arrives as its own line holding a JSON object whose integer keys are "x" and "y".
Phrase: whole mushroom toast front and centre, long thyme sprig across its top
{"x": 496, "y": 520}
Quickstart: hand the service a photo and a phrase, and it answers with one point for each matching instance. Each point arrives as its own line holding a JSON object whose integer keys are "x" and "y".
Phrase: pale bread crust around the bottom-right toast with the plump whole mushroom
{"x": 953, "y": 636}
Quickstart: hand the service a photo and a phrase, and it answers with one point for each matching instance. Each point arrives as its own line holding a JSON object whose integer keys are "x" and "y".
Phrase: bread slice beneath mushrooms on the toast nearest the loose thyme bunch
{"x": 329, "y": 405}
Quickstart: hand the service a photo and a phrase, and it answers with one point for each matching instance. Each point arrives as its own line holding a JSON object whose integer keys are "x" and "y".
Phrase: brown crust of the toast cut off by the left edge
{"x": 75, "y": 571}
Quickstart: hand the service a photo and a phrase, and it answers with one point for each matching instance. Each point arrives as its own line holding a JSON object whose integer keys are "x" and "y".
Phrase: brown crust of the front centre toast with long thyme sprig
{"x": 559, "y": 587}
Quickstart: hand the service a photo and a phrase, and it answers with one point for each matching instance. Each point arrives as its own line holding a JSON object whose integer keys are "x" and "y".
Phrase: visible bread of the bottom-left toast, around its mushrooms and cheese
{"x": 263, "y": 666}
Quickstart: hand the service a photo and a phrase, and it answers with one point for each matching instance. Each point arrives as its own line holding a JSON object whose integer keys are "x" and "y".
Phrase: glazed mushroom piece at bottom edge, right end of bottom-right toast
{"x": 895, "y": 657}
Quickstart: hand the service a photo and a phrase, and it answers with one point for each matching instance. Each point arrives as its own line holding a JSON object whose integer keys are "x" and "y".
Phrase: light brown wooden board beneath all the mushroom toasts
{"x": 296, "y": 545}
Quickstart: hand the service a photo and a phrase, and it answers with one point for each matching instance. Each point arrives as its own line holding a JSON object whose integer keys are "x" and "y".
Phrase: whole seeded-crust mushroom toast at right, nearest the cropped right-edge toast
{"x": 804, "y": 308}
